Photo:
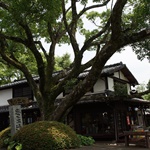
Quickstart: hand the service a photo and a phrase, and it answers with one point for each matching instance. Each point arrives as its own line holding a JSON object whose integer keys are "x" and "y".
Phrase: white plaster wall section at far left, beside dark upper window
{"x": 4, "y": 96}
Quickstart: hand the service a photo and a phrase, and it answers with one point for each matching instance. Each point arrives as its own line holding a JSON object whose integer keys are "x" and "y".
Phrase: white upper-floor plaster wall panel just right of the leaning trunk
{"x": 99, "y": 86}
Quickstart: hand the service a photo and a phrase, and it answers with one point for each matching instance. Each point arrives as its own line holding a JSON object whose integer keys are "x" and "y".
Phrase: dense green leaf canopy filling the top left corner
{"x": 23, "y": 11}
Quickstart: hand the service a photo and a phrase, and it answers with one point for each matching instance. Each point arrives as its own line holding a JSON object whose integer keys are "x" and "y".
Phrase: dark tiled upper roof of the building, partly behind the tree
{"x": 108, "y": 70}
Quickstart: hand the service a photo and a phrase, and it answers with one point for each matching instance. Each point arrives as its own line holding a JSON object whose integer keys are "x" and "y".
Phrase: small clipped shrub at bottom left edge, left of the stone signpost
{"x": 4, "y": 137}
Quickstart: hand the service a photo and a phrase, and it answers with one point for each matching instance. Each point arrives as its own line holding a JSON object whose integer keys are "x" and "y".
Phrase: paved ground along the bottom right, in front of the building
{"x": 111, "y": 146}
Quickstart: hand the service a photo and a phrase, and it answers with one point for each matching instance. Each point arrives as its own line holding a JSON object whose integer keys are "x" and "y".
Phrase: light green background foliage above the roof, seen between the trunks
{"x": 8, "y": 73}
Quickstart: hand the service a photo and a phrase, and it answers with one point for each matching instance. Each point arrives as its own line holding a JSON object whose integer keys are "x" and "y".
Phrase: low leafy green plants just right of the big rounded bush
{"x": 86, "y": 141}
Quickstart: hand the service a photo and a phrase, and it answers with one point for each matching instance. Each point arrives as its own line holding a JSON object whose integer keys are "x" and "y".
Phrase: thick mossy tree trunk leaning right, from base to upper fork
{"x": 84, "y": 86}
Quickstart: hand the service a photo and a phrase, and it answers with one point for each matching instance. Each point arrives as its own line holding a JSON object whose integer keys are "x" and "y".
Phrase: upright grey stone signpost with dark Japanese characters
{"x": 15, "y": 118}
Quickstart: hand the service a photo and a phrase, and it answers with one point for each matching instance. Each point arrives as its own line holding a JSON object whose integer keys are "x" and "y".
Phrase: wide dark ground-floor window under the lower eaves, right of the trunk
{"x": 97, "y": 123}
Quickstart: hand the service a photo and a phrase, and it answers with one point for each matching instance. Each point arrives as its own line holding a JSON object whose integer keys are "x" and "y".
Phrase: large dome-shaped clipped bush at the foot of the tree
{"x": 46, "y": 135}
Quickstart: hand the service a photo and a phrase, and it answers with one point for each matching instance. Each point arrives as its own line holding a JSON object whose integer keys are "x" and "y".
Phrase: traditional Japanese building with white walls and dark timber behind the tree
{"x": 105, "y": 111}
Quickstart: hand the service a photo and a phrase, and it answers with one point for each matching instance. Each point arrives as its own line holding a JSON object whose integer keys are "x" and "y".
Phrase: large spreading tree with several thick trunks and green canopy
{"x": 25, "y": 23}
